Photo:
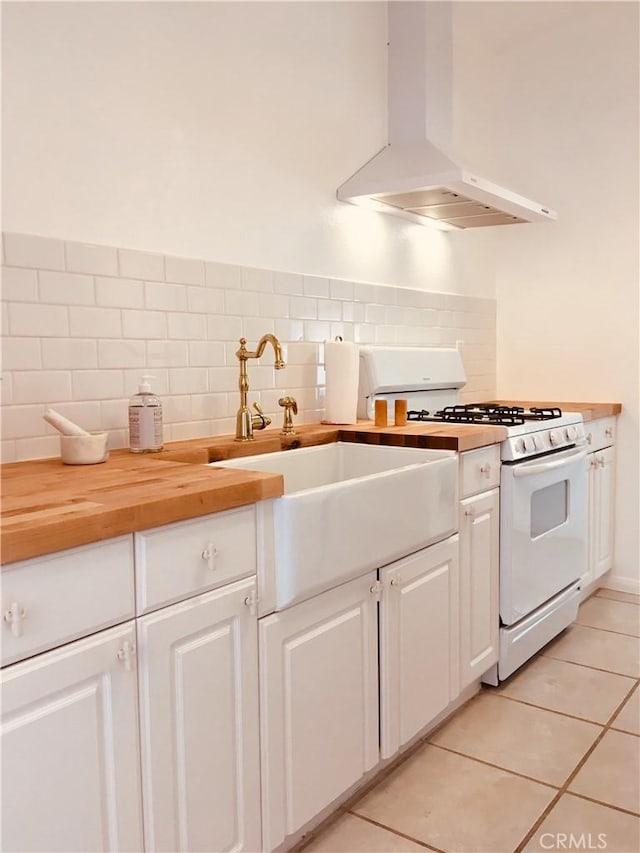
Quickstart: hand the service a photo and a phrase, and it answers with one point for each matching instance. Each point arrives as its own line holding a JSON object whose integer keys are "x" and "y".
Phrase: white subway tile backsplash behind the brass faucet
{"x": 180, "y": 319}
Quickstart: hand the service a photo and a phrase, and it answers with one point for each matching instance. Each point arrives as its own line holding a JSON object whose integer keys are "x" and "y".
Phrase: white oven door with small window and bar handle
{"x": 543, "y": 530}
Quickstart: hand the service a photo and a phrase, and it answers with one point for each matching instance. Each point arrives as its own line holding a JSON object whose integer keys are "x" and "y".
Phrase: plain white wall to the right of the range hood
{"x": 567, "y": 99}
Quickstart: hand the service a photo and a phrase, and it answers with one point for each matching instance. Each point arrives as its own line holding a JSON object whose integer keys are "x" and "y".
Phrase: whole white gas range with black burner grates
{"x": 542, "y": 497}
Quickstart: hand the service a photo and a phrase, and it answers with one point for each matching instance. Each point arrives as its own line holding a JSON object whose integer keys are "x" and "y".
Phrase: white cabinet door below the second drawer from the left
{"x": 199, "y": 722}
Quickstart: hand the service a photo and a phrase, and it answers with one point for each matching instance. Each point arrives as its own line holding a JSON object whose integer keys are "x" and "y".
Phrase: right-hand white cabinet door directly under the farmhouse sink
{"x": 418, "y": 642}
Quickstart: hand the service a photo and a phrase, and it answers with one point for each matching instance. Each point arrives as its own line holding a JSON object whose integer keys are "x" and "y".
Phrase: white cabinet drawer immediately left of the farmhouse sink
{"x": 179, "y": 560}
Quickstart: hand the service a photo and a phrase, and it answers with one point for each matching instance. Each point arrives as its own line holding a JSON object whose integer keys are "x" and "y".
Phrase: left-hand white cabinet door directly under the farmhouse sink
{"x": 319, "y": 703}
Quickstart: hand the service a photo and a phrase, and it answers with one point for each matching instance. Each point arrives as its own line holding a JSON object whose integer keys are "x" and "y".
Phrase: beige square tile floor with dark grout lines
{"x": 550, "y": 760}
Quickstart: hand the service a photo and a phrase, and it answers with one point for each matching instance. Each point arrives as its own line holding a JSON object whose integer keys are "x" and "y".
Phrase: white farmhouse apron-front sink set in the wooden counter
{"x": 349, "y": 508}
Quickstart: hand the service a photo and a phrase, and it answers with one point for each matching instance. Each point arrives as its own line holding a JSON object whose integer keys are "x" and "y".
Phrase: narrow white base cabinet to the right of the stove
{"x": 600, "y": 463}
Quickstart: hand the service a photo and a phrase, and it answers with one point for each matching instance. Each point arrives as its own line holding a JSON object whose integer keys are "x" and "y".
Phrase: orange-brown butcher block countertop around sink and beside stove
{"x": 48, "y": 506}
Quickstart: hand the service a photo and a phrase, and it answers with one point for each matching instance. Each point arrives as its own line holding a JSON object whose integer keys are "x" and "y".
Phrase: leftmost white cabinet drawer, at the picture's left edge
{"x": 48, "y": 601}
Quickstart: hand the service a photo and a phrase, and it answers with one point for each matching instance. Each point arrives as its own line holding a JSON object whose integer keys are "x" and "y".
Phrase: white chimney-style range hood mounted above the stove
{"x": 414, "y": 176}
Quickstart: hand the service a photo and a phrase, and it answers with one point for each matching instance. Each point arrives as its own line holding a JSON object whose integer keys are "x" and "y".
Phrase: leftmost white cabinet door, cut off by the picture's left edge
{"x": 70, "y": 769}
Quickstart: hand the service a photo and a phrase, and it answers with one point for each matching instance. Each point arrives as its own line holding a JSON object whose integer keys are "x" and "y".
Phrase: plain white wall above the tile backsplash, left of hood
{"x": 215, "y": 130}
